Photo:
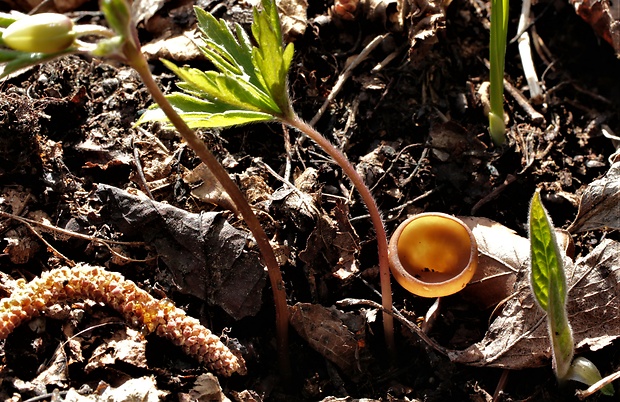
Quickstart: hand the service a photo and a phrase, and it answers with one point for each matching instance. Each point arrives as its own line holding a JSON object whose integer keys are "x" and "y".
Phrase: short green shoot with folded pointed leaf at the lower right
{"x": 550, "y": 290}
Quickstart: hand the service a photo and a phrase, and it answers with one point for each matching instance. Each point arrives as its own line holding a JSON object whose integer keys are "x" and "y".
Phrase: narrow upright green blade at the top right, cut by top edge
{"x": 497, "y": 50}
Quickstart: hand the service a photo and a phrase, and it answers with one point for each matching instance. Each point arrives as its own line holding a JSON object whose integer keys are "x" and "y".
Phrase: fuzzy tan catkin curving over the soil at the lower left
{"x": 139, "y": 308}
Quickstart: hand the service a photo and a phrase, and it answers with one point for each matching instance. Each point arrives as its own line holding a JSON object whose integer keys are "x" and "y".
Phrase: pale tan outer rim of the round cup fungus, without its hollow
{"x": 435, "y": 288}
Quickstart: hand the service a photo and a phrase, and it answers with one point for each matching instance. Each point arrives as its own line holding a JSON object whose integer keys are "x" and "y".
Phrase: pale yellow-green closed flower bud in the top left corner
{"x": 40, "y": 33}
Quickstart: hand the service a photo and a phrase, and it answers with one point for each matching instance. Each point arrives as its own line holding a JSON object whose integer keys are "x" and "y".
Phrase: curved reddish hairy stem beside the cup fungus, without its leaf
{"x": 375, "y": 217}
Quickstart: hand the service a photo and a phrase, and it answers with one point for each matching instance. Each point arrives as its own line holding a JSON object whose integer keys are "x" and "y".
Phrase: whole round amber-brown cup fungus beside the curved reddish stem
{"x": 433, "y": 254}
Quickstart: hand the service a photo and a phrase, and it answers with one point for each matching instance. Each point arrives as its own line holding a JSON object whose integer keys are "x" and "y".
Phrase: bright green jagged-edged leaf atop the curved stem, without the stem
{"x": 249, "y": 78}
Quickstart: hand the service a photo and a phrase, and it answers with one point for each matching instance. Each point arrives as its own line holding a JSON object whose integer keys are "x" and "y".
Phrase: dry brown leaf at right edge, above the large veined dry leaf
{"x": 599, "y": 206}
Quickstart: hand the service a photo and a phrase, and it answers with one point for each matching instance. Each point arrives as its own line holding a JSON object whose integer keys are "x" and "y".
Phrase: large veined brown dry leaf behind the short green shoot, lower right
{"x": 518, "y": 337}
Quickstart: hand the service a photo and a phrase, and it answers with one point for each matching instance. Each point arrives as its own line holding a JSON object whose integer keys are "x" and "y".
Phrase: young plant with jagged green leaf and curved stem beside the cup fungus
{"x": 251, "y": 86}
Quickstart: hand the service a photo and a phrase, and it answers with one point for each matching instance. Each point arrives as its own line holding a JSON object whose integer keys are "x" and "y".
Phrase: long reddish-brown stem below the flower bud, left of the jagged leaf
{"x": 139, "y": 63}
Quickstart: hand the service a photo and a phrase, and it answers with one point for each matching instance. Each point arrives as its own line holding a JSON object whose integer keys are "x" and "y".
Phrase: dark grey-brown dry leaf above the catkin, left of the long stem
{"x": 206, "y": 255}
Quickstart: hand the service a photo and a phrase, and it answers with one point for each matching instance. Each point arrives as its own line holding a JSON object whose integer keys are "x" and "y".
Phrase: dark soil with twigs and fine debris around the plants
{"x": 418, "y": 133}
